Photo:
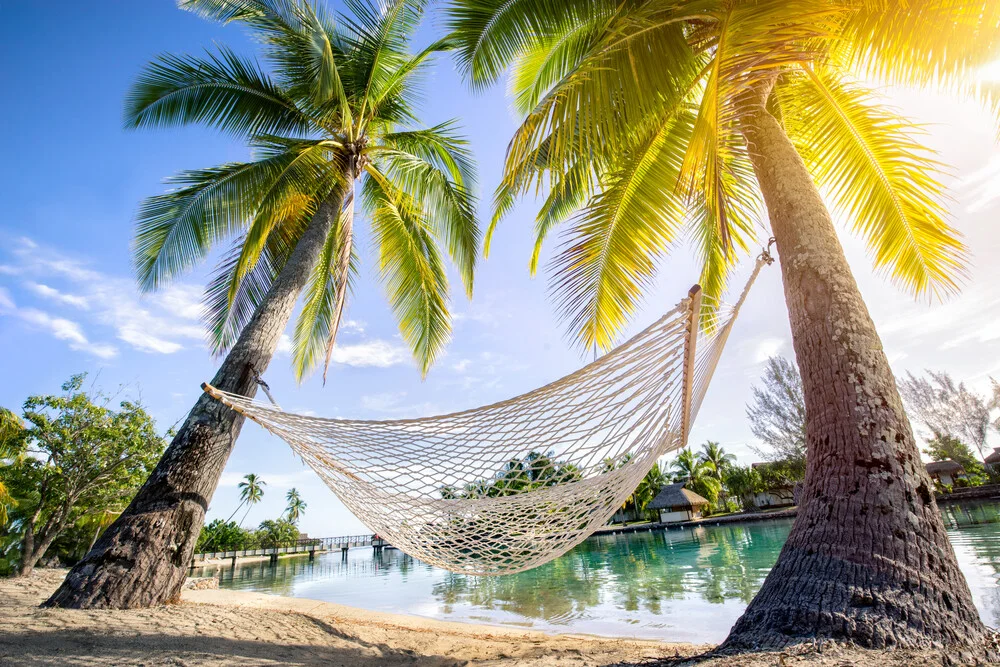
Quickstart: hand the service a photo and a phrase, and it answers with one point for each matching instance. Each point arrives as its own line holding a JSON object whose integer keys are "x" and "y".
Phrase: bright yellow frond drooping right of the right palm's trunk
{"x": 878, "y": 174}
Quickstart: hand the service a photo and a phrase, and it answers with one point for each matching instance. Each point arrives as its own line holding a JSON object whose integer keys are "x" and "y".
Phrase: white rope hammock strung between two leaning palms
{"x": 509, "y": 486}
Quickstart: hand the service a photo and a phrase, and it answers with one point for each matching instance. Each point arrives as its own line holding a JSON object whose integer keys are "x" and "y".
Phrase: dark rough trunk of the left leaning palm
{"x": 143, "y": 557}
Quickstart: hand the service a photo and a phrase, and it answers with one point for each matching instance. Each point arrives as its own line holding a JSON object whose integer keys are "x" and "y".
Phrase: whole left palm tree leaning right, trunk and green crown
{"x": 333, "y": 123}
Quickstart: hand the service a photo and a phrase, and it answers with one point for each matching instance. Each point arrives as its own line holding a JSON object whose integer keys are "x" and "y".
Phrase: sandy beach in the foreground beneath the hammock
{"x": 218, "y": 627}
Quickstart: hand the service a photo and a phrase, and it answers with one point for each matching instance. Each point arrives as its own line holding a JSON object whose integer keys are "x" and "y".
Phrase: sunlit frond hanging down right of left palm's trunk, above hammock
{"x": 410, "y": 267}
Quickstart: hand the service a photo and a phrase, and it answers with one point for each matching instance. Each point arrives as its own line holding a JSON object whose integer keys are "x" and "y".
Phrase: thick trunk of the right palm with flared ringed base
{"x": 868, "y": 559}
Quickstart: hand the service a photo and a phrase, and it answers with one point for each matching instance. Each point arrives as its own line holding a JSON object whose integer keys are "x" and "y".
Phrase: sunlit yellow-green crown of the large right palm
{"x": 632, "y": 129}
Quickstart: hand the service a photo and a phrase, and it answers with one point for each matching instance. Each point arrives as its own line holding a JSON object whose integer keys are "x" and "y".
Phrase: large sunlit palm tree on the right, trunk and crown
{"x": 665, "y": 121}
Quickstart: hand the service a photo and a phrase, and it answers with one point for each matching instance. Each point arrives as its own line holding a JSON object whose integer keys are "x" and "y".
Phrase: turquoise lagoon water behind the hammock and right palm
{"x": 678, "y": 585}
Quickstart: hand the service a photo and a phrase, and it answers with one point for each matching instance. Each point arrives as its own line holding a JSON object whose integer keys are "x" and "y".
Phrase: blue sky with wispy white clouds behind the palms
{"x": 72, "y": 180}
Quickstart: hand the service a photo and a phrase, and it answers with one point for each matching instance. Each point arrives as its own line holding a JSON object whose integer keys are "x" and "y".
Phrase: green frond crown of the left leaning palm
{"x": 334, "y": 109}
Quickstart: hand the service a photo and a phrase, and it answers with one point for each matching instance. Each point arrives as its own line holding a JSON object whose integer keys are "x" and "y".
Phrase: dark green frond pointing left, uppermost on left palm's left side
{"x": 222, "y": 91}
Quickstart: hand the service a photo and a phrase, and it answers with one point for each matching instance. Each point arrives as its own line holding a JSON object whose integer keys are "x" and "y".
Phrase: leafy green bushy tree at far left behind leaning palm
{"x": 73, "y": 465}
